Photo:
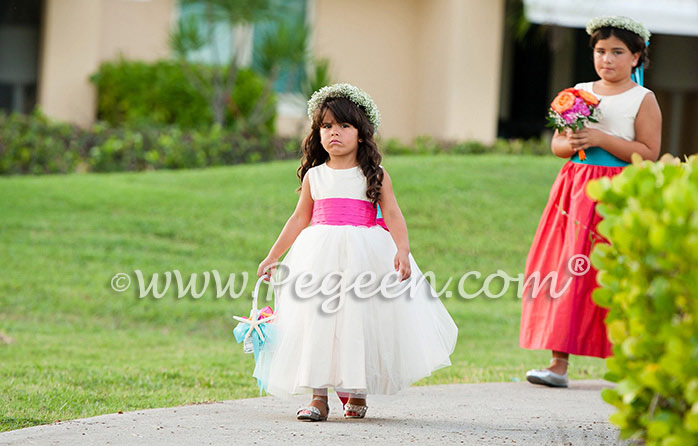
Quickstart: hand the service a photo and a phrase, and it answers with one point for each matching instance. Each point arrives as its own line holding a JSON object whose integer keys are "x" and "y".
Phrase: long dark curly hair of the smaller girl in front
{"x": 347, "y": 112}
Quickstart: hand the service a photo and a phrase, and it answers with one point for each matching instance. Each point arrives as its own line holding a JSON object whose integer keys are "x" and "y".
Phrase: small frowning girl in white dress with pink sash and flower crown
{"x": 348, "y": 318}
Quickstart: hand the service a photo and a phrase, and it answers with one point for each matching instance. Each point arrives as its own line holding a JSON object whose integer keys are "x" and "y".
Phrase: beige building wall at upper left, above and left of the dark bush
{"x": 78, "y": 35}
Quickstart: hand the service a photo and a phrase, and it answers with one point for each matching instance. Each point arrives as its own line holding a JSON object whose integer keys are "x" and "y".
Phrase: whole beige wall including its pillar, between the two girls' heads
{"x": 432, "y": 66}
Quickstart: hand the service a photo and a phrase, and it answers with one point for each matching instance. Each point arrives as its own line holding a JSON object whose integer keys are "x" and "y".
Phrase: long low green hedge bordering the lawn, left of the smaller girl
{"x": 35, "y": 145}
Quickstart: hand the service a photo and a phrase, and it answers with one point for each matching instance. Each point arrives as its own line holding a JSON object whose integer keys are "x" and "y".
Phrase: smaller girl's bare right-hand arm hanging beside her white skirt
{"x": 397, "y": 226}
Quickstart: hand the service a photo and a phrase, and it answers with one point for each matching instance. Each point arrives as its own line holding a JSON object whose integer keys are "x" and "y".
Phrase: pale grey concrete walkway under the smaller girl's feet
{"x": 470, "y": 414}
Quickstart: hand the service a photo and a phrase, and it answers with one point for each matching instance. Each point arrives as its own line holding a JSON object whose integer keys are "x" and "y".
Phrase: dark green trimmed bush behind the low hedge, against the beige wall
{"x": 141, "y": 93}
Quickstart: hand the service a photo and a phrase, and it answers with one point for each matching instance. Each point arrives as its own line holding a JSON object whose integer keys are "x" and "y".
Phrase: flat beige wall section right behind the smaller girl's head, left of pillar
{"x": 372, "y": 45}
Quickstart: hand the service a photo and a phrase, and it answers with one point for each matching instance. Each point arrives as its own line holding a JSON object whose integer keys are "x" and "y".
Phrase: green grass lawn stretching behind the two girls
{"x": 72, "y": 347}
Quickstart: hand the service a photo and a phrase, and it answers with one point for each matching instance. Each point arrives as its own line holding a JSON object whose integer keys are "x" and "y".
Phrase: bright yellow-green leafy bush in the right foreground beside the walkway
{"x": 649, "y": 282}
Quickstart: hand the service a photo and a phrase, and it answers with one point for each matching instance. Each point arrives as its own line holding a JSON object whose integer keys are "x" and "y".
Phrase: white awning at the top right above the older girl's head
{"x": 678, "y": 17}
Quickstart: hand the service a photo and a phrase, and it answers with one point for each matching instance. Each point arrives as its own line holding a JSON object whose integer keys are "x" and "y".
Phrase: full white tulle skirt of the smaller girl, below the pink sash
{"x": 351, "y": 332}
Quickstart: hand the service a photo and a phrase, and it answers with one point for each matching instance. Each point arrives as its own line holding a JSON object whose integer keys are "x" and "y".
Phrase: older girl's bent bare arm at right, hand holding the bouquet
{"x": 648, "y": 135}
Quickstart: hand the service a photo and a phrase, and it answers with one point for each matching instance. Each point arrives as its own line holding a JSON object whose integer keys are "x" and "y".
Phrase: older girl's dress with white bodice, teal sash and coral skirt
{"x": 571, "y": 322}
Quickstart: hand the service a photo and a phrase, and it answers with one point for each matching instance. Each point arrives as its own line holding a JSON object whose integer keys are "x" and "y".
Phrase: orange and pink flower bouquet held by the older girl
{"x": 572, "y": 109}
